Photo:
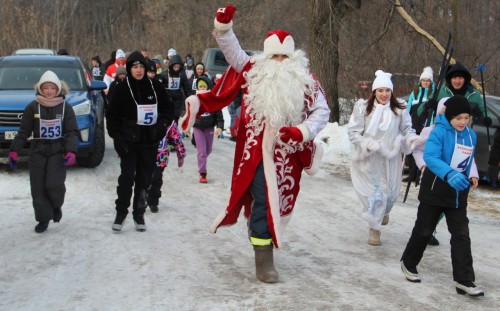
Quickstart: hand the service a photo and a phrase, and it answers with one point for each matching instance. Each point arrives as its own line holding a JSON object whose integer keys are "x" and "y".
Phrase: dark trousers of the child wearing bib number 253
{"x": 47, "y": 177}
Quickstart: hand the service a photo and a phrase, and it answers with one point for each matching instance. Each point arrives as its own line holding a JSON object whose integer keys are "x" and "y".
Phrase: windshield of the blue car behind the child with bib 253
{"x": 23, "y": 75}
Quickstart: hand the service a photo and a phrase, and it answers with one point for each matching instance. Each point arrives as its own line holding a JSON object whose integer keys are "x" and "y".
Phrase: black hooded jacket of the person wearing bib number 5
{"x": 121, "y": 115}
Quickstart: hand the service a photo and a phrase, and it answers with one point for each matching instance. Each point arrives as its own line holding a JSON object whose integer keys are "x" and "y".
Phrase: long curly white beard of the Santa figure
{"x": 278, "y": 91}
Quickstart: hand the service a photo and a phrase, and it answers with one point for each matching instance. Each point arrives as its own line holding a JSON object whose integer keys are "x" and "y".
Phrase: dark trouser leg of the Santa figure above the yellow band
{"x": 258, "y": 225}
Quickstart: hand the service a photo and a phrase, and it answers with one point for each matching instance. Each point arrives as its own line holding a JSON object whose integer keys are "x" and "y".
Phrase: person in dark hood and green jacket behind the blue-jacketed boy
{"x": 457, "y": 82}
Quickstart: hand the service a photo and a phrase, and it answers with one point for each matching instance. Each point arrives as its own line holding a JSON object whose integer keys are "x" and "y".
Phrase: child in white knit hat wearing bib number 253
{"x": 51, "y": 123}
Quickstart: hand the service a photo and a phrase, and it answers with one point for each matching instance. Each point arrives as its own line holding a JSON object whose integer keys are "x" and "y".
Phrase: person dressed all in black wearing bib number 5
{"x": 136, "y": 119}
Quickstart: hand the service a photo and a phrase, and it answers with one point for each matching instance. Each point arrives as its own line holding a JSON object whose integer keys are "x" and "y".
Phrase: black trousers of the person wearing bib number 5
{"x": 137, "y": 168}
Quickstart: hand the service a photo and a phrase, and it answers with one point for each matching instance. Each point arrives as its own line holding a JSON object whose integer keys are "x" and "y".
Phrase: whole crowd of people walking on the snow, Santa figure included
{"x": 278, "y": 107}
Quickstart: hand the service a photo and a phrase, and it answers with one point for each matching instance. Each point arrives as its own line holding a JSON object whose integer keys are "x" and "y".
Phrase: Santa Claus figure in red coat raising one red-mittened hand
{"x": 283, "y": 109}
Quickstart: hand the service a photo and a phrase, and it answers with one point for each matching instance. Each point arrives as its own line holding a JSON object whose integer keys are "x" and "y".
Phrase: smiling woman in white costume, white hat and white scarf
{"x": 377, "y": 140}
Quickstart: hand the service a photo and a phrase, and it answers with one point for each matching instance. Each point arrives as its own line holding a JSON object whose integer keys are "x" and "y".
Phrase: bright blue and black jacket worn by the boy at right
{"x": 438, "y": 153}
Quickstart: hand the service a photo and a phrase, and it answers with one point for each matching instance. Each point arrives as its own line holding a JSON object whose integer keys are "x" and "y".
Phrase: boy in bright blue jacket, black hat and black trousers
{"x": 449, "y": 153}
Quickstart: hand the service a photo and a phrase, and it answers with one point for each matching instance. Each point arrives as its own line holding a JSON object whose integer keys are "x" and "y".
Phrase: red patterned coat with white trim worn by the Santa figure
{"x": 283, "y": 165}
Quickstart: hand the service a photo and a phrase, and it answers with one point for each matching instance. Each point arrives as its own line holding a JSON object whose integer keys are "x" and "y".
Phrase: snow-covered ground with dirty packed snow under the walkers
{"x": 325, "y": 264}
